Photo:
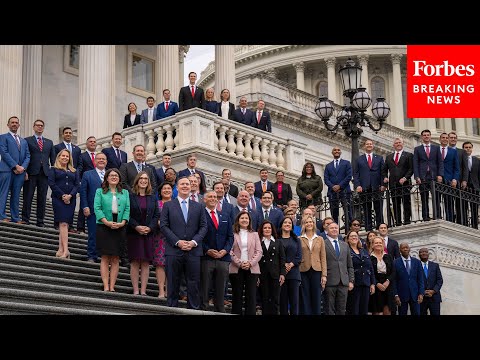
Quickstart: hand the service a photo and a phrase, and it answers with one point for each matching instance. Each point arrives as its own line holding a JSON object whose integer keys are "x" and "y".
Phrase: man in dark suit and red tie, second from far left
{"x": 42, "y": 156}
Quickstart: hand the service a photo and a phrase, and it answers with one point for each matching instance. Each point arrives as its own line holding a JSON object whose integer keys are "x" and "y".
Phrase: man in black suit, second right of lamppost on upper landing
{"x": 397, "y": 172}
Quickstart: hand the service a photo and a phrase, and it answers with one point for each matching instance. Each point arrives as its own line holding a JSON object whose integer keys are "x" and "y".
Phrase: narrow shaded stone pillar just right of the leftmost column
{"x": 31, "y": 87}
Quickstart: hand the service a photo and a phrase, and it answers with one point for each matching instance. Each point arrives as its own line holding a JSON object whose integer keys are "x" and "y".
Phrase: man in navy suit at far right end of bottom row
{"x": 433, "y": 283}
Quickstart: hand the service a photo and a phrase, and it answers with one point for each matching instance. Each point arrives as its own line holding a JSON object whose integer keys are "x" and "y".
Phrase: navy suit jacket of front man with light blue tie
{"x": 174, "y": 227}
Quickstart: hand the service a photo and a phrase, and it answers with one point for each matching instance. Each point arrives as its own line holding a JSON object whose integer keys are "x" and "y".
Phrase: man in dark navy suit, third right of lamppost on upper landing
{"x": 427, "y": 167}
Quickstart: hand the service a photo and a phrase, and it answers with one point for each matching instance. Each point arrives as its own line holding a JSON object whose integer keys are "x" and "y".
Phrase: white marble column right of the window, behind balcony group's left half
{"x": 169, "y": 67}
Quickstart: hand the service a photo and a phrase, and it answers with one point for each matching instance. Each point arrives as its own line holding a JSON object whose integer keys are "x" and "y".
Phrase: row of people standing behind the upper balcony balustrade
{"x": 192, "y": 96}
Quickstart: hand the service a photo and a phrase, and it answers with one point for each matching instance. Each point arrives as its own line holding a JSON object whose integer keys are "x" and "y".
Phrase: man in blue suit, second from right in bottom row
{"x": 408, "y": 285}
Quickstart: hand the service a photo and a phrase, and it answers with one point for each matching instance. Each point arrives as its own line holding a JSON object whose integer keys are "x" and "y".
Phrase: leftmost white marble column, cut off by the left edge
{"x": 11, "y": 62}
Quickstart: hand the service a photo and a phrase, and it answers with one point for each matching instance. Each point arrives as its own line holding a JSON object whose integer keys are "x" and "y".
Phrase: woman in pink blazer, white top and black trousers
{"x": 244, "y": 269}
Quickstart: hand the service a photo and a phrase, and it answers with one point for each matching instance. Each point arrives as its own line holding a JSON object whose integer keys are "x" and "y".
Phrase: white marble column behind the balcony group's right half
{"x": 225, "y": 70}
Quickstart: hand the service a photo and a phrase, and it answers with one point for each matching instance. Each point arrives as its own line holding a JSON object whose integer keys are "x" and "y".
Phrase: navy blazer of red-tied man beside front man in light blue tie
{"x": 221, "y": 239}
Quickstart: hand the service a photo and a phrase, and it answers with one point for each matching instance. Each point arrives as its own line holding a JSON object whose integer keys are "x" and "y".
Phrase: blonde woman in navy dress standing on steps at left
{"x": 64, "y": 182}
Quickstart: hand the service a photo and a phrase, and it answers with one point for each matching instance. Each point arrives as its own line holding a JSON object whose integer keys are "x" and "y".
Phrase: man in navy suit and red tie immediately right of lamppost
{"x": 368, "y": 182}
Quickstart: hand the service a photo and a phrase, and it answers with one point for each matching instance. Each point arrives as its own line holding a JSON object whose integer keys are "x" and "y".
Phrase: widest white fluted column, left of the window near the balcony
{"x": 96, "y": 113}
